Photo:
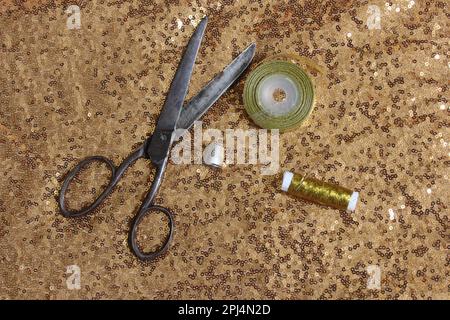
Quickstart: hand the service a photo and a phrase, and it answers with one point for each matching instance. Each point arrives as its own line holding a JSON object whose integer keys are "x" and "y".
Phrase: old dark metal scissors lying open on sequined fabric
{"x": 157, "y": 147}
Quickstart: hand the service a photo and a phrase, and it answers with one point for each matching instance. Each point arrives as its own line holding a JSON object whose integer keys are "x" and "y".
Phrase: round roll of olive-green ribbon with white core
{"x": 278, "y": 94}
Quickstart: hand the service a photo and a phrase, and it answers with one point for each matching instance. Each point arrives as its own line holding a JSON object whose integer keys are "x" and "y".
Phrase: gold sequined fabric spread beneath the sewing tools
{"x": 380, "y": 126}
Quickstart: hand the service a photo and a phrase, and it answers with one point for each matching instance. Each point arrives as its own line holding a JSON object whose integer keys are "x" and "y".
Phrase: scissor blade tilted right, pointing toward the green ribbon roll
{"x": 209, "y": 94}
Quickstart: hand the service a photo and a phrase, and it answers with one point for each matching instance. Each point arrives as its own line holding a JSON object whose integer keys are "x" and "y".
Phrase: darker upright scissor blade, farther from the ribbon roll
{"x": 177, "y": 93}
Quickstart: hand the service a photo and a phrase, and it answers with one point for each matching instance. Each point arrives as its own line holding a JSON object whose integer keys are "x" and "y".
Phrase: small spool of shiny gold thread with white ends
{"x": 320, "y": 192}
